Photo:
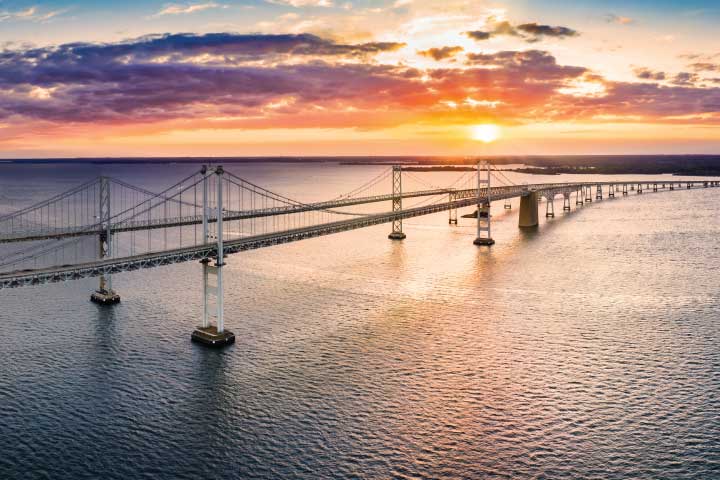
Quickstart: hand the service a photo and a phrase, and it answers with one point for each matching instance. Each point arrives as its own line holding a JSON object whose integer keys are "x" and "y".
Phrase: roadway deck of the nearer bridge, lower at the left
{"x": 198, "y": 252}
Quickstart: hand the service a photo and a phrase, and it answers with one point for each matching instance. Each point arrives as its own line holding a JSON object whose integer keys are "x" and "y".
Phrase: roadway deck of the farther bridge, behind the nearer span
{"x": 497, "y": 193}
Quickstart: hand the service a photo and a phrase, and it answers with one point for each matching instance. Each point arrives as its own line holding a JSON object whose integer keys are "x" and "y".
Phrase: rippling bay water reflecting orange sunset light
{"x": 585, "y": 349}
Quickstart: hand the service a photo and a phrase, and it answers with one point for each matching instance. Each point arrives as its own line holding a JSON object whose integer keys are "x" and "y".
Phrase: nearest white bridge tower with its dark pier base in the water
{"x": 207, "y": 334}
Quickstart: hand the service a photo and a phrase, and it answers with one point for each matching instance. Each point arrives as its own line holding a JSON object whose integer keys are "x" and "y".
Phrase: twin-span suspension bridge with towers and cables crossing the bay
{"x": 107, "y": 226}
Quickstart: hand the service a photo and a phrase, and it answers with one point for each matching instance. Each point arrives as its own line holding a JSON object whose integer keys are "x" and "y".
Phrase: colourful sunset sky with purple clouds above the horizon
{"x": 358, "y": 77}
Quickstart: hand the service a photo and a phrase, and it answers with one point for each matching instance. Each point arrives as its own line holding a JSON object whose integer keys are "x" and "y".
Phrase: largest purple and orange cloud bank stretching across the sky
{"x": 225, "y": 80}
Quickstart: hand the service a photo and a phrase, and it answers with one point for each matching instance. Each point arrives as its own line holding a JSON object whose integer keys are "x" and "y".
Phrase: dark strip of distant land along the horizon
{"x": 534, "y": 164}
